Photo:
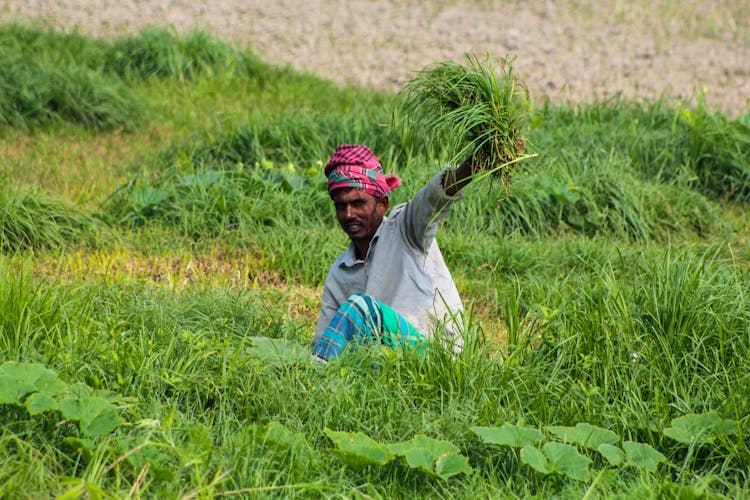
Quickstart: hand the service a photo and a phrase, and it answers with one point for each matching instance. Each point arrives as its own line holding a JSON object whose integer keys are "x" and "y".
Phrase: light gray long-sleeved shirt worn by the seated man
{"x": 403, "y": 267}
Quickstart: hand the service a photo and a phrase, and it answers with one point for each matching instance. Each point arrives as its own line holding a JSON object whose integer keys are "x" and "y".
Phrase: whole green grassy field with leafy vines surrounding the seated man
{"x": 165, "y": 231}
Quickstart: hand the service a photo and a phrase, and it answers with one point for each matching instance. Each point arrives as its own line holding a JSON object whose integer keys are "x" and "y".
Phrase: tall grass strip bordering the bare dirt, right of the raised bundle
{"x": 694, "y": 148}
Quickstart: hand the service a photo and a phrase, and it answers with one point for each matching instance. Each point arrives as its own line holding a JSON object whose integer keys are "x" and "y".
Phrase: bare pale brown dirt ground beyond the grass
{"x": 567, "y": 50}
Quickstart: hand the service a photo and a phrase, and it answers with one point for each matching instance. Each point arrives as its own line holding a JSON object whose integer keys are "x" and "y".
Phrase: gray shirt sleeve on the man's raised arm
{"x": 422, "y": 213}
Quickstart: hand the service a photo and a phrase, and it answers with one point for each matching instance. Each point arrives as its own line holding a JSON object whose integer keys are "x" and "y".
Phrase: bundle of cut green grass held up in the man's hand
{"x": 467, "y": 111}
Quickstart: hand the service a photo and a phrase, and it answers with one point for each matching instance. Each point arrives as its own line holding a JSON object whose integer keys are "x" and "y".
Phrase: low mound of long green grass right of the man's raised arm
{"x": 602, "y": 199}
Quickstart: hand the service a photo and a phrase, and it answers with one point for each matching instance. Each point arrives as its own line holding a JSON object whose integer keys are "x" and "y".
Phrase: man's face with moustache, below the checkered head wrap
{"x": 359, "y": 213}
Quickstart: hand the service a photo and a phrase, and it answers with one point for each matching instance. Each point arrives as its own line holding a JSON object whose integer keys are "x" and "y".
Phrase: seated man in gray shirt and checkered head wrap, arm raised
{"x": 391, "y": 285}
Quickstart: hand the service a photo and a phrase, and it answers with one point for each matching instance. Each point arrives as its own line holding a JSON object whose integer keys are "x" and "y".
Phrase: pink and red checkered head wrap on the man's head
{"x": 355, "y": 166}
